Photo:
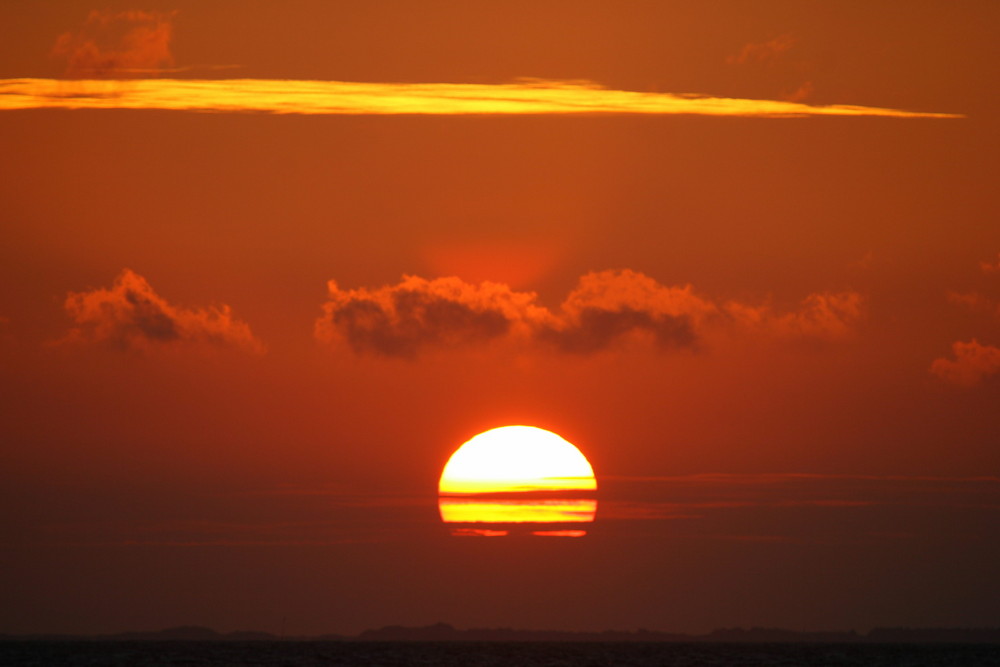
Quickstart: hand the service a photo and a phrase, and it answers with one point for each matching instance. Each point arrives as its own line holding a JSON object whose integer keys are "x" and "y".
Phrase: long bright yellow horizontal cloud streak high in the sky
{"x": 282, "y": 96}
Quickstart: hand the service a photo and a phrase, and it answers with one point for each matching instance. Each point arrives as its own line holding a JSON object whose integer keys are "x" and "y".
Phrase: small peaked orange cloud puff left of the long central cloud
{"x": 131, "y": 315}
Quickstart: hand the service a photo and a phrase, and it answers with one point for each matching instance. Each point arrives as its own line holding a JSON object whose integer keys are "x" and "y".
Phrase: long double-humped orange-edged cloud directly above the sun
{"x": 604, "y": 309}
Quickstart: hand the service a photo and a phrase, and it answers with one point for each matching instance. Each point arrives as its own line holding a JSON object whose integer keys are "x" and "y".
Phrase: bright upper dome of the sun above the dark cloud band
{"x": 516, "y": 459}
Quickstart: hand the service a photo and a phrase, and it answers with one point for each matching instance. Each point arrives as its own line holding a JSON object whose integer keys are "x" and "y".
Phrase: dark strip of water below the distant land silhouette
{"x": 474, "y": 654}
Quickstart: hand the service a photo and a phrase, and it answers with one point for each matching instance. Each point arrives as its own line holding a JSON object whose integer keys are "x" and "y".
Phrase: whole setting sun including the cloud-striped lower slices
{"x": 517, "y": 479}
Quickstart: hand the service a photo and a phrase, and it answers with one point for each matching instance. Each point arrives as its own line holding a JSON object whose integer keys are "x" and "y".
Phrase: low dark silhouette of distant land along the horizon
{"x": 442, "y": 632}
